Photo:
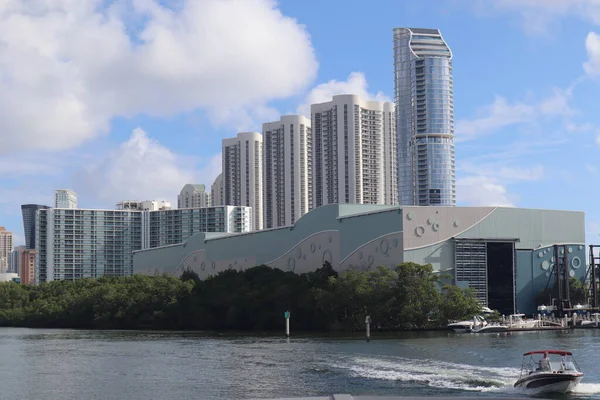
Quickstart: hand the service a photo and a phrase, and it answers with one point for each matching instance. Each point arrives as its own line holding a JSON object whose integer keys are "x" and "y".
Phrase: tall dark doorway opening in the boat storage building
{"x": 500, "y": 276}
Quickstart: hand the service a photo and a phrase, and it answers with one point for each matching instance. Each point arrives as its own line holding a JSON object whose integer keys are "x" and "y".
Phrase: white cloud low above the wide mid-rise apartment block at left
{"x": 142, "y": 169}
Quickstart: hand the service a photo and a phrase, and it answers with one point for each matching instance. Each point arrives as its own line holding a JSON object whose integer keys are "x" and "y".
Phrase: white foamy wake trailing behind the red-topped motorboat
{"x": 434, "y": 373}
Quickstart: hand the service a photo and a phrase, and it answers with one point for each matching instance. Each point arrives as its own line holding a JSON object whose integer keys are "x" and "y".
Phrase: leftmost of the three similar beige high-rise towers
{"x": 242, "y": 174}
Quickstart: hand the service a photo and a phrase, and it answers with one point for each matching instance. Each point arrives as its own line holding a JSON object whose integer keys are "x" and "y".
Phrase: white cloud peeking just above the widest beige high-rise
{"x": 355, "y": 84}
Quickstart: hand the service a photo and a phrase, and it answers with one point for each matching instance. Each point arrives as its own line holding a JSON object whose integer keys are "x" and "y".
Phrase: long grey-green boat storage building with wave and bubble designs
{"x": 504, "y": 254}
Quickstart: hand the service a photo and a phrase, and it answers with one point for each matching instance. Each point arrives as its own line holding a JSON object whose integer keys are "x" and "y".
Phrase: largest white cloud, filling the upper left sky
{"x": 68, "y": 66}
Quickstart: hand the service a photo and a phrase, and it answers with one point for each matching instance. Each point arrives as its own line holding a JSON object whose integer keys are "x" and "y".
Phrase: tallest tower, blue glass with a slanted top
{"x": 424, "y": 118}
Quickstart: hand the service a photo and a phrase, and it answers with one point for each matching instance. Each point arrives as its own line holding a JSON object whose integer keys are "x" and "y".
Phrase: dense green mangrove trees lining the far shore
{"x": 409, "y": 297}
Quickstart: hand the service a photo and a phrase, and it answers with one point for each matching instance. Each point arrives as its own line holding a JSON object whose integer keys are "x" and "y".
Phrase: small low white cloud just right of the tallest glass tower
{"x": 482, "y": 191}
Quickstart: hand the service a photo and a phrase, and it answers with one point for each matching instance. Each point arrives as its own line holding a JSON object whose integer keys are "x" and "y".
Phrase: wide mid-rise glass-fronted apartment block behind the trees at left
{"x": 80, "y": 243}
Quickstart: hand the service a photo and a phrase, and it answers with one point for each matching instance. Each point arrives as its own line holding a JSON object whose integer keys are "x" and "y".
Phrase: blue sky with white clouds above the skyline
{"x": 130, "y": 99}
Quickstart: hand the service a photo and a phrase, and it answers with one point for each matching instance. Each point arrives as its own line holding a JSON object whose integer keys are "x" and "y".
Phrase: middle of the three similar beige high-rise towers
{"x": 287, "y": 163}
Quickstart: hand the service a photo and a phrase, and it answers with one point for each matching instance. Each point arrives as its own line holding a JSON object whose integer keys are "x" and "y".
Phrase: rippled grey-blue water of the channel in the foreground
{"x": 65, "y": 364}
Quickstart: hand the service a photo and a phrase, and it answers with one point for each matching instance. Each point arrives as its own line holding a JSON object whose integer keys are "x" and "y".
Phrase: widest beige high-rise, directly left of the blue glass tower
{"x": 354, "y": 152}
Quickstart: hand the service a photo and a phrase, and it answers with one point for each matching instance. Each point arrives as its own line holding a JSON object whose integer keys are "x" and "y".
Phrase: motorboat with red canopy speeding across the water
{"x": 540, "y": 374}
